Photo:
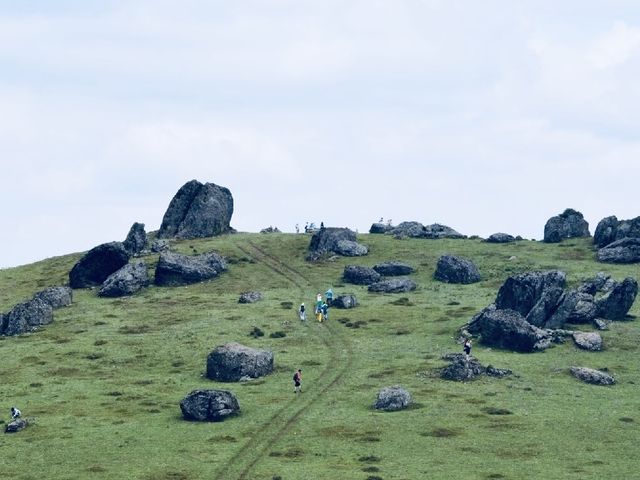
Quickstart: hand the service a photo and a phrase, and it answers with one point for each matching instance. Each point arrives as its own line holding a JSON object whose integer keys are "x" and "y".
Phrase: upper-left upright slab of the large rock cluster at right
{"x": 522, "y": 292}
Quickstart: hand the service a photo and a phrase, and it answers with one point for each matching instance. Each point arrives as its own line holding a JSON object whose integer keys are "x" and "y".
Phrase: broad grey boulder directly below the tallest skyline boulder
{"x": 176, "y": 269}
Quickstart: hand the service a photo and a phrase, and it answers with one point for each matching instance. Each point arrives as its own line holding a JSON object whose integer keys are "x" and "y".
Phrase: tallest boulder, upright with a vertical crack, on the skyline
{"x": 198, "y": 210}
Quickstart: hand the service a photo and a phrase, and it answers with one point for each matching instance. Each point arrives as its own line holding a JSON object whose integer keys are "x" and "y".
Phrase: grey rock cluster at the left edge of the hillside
{"x": 30, "y": 315}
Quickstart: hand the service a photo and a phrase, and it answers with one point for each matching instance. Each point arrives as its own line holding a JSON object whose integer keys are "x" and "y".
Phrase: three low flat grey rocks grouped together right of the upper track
{"x": 374, "y": 277}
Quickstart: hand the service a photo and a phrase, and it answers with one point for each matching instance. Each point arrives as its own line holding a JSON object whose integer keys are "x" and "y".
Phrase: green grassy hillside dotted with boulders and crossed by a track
{"x": 103, "y": 382}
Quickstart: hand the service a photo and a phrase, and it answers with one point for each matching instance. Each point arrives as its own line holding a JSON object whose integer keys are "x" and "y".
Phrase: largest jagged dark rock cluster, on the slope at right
{"x": 532, "y": 308}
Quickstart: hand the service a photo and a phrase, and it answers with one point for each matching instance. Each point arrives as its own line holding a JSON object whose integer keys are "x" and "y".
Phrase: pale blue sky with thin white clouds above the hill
{"x": 487, "y": 116}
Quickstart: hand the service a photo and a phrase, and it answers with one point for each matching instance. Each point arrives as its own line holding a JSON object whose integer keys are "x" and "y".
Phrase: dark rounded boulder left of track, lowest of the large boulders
{"x": 209, "y": 405}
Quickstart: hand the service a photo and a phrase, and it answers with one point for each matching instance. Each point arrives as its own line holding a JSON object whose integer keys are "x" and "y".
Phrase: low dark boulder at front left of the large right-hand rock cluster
{"x": 508, "y": 329}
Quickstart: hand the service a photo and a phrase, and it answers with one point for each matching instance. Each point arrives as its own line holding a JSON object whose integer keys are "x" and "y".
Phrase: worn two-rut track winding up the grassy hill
{"x": 340, "y": 354}
